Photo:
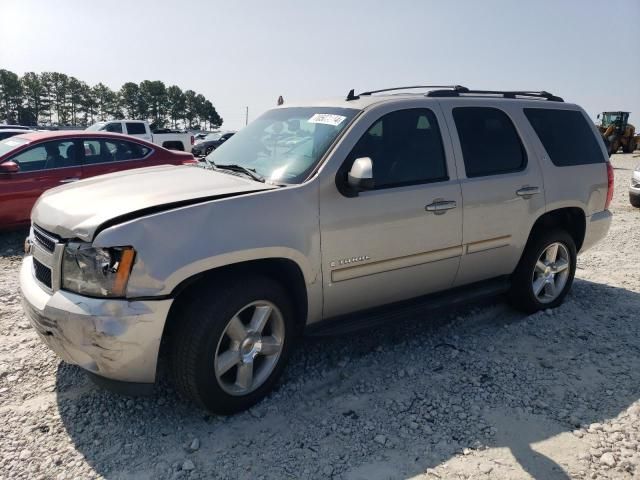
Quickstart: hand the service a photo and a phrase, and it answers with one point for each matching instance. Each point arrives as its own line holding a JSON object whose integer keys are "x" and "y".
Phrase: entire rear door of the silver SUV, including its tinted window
{"x": 499, "y": 207}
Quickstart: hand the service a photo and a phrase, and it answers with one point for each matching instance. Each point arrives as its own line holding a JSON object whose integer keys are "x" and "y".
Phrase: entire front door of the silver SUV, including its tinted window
{"x": 385, "y": 245}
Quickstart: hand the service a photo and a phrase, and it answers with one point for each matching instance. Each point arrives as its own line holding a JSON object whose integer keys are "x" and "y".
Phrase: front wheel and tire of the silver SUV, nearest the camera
{"x": 209, "y": 339}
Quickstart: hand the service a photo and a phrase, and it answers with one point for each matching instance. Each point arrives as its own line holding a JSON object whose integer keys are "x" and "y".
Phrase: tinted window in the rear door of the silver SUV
{"x": 490, "y": 143}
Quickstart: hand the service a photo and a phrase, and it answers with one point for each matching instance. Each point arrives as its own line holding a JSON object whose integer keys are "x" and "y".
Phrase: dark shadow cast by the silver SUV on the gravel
{"x": 390, "y": 403}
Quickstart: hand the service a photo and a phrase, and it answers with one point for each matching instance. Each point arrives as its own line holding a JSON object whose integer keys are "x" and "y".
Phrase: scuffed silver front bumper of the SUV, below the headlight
{"x": 116, "y": 340}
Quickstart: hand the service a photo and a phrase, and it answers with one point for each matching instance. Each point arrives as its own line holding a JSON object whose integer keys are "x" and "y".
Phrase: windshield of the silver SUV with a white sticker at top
{"x": 285, "y": 144}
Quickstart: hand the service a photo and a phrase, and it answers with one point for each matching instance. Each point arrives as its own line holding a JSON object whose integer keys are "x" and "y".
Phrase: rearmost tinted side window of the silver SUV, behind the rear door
{"x": 566, "y": 136}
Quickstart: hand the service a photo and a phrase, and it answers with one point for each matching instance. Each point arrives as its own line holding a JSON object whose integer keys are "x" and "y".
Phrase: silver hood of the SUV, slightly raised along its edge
{"x": 78, "y": 209}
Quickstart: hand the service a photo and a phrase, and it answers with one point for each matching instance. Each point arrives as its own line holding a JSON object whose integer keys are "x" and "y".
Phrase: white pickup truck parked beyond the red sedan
{"x": 171, "y": 139}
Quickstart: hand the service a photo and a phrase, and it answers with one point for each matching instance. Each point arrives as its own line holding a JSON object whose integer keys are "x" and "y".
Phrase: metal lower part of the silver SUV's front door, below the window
{"x": 383, "y": 246}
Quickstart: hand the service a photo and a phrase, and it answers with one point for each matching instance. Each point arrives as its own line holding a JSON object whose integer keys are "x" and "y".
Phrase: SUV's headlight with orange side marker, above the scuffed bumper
{"x": 99, "y": 272}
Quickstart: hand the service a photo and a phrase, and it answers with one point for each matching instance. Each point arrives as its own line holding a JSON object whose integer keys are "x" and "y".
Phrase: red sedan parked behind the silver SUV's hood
{"x": 31, "y": 163}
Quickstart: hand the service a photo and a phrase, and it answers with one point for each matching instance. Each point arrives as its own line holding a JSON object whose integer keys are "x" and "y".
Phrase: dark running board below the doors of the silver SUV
{"x": 409, "y": 308}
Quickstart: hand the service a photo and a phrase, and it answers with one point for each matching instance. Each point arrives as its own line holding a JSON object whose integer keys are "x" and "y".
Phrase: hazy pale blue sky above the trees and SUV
{"x": 246, "y": 53}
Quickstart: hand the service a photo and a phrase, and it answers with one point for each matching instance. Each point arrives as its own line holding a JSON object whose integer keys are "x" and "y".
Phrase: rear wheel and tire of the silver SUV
{"x": 529, "y": 274}
